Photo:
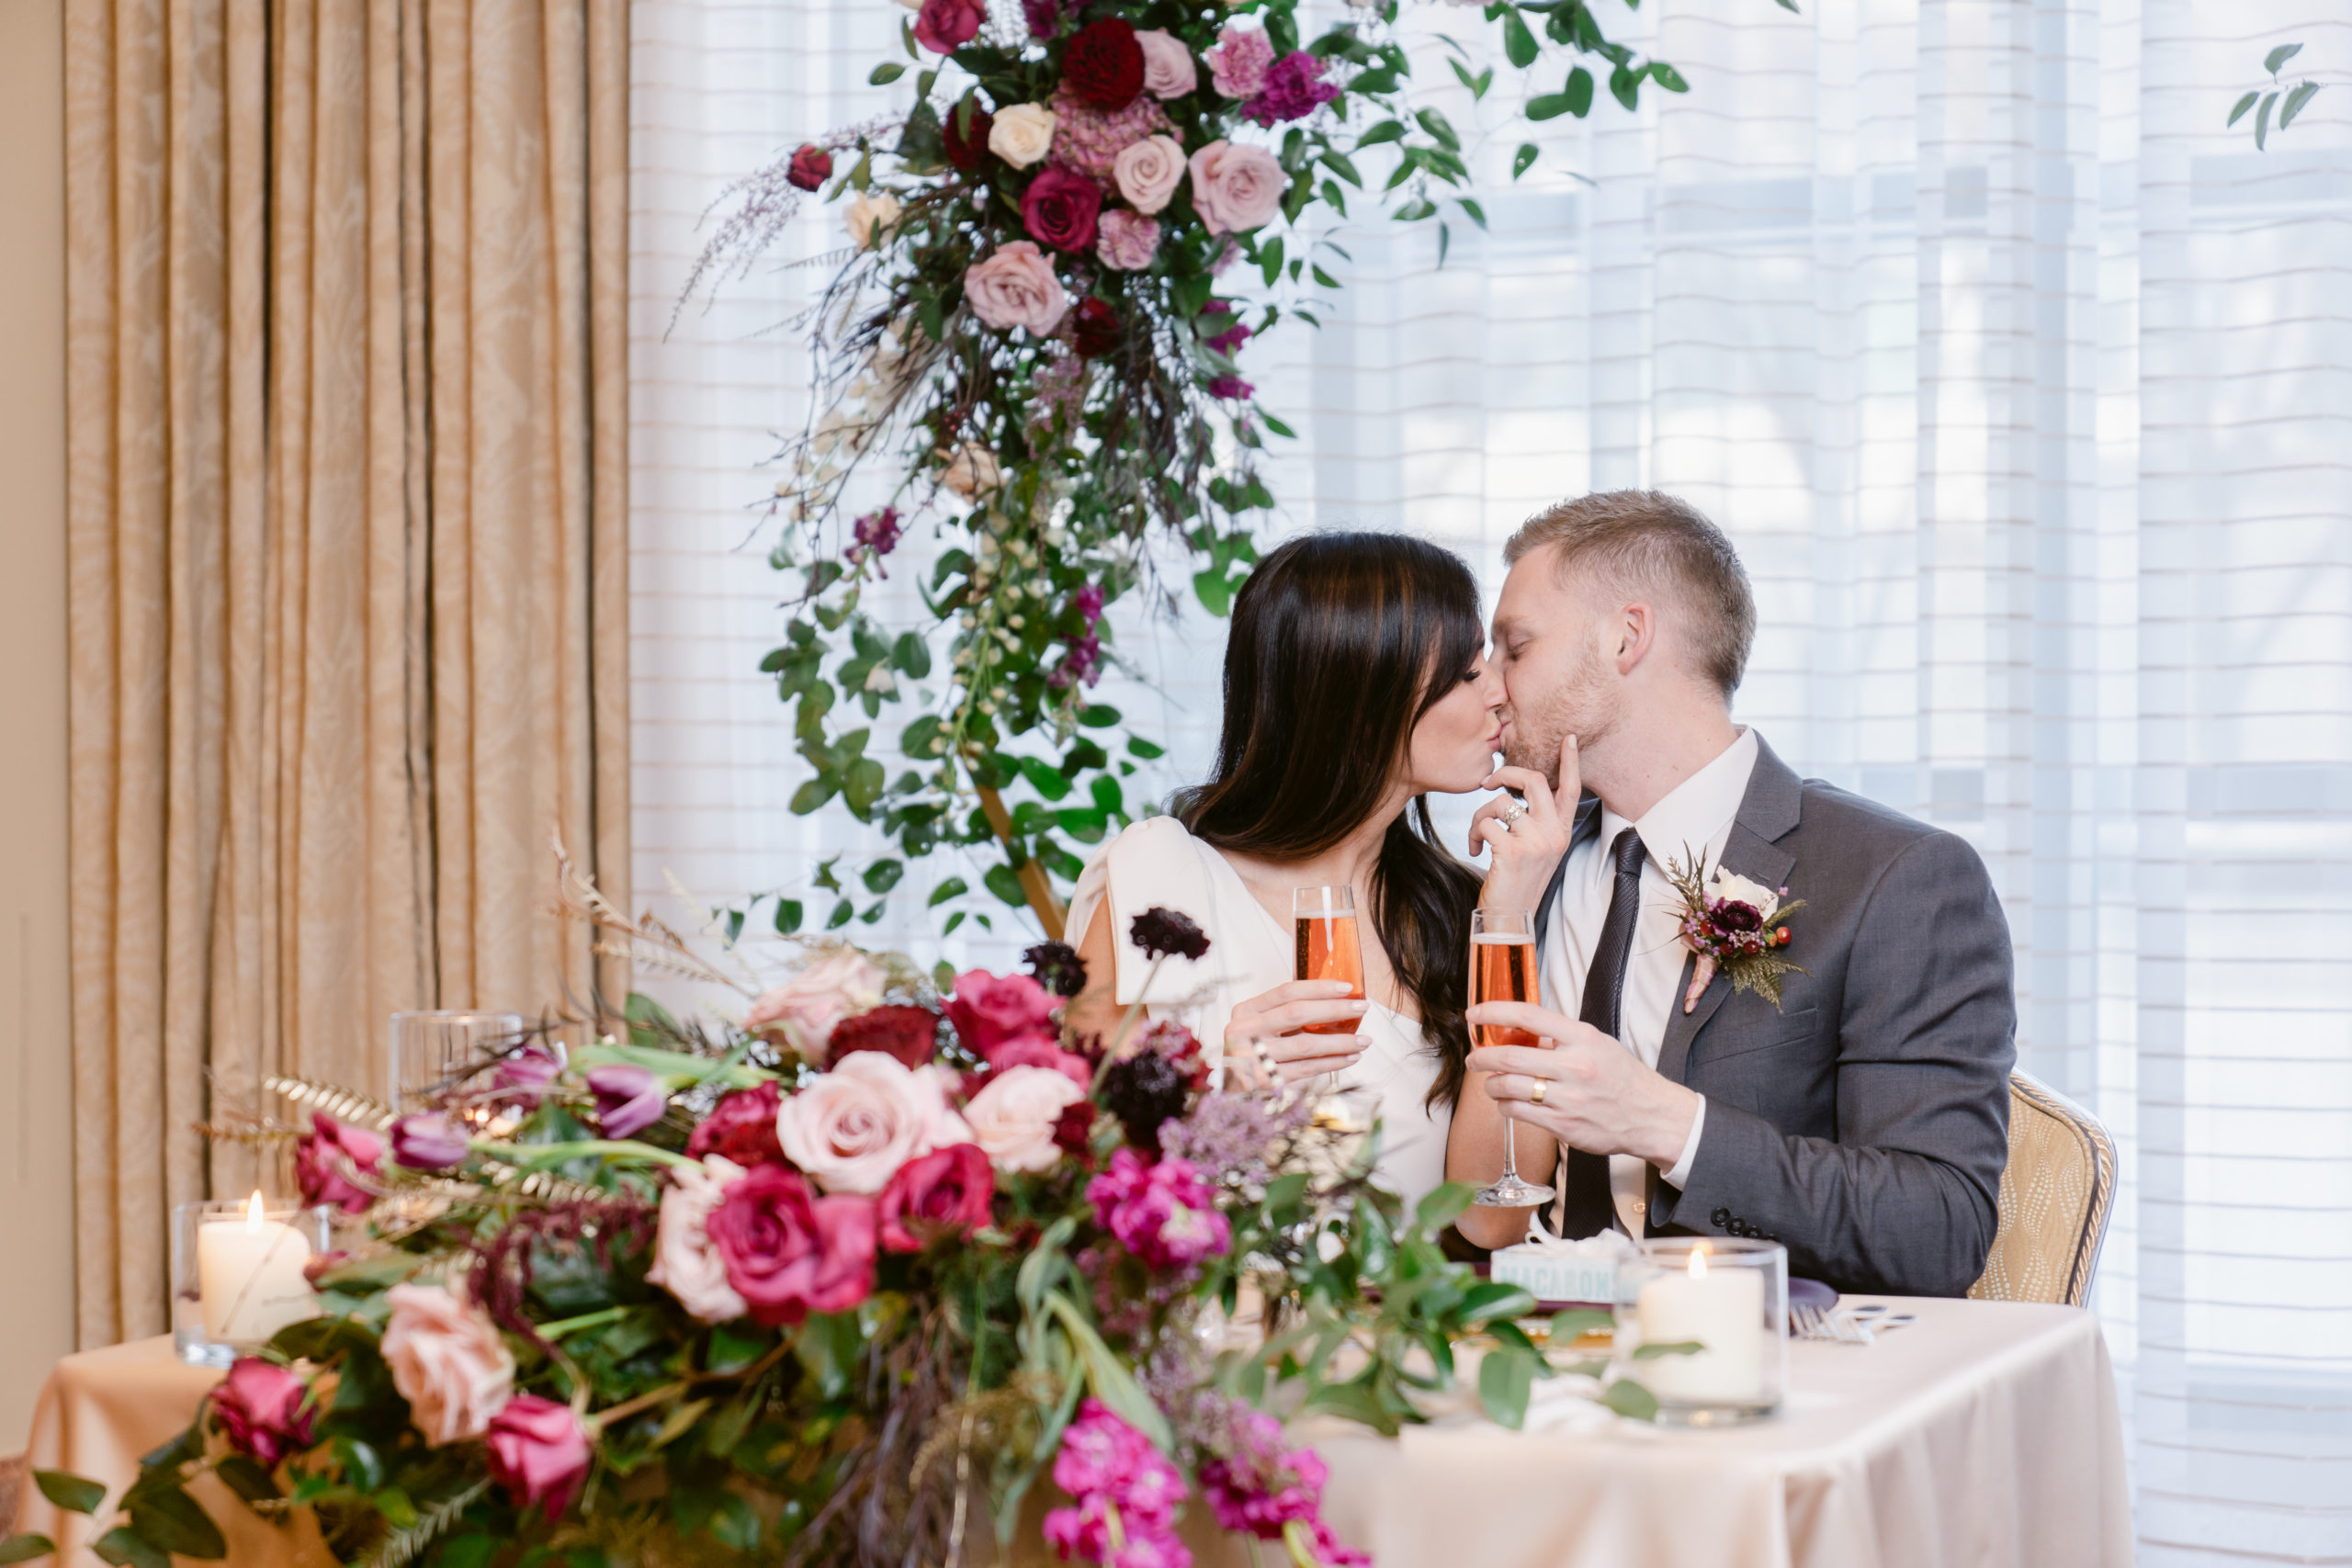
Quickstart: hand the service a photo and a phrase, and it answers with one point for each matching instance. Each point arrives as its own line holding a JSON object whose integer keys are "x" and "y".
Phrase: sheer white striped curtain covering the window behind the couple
{"x": 2026, "y": 391}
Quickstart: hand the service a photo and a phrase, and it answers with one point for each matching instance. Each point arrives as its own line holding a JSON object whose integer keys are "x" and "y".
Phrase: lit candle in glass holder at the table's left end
{"x": 239, "y": 1273}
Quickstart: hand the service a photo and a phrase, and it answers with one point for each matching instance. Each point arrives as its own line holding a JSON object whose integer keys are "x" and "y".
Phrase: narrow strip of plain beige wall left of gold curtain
{"x": 36, "y": 1083}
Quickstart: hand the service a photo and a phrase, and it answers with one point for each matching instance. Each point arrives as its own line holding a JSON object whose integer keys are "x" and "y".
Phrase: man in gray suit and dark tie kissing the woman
{"x": 1864, "y": 1120}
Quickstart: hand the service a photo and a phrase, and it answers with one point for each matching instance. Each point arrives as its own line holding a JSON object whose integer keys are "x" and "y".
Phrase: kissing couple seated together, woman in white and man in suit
{"x": 1859, "y": 1115}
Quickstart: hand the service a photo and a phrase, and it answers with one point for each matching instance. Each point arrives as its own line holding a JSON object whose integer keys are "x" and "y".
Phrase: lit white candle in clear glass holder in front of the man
{"x": 1725, "y": 1296}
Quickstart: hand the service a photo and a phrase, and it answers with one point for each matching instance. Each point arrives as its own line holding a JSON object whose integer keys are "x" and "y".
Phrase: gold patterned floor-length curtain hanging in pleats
{"x": 347, "y": 438}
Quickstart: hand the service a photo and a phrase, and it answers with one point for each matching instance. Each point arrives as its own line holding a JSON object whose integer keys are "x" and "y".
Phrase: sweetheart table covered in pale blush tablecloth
{"x": 1984, "y": 1438}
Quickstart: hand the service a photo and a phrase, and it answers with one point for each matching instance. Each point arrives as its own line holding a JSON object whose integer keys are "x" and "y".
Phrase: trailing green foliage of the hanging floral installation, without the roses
{"x": 1088, "y": 462}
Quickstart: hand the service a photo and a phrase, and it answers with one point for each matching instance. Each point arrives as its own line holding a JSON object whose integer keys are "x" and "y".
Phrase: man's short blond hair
{"x": 1666, "y": 547}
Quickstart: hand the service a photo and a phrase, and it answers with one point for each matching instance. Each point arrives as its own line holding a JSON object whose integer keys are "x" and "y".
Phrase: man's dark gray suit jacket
{"x": 1866, "y": 1123}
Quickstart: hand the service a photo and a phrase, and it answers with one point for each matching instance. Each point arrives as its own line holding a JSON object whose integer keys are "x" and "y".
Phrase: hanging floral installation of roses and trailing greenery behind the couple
{"x": 1031, "y": 337}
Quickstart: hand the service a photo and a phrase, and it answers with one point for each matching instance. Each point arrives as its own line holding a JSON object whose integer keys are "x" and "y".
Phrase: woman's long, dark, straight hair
{"x": 1339, "y": 645}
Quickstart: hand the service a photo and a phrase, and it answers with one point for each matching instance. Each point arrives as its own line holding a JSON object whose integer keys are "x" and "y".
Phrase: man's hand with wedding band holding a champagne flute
{"x": 1598, "y": 1097}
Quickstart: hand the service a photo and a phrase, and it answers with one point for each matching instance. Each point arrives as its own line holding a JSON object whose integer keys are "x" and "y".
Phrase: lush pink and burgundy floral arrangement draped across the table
{"x": 831, "y": 1287}
